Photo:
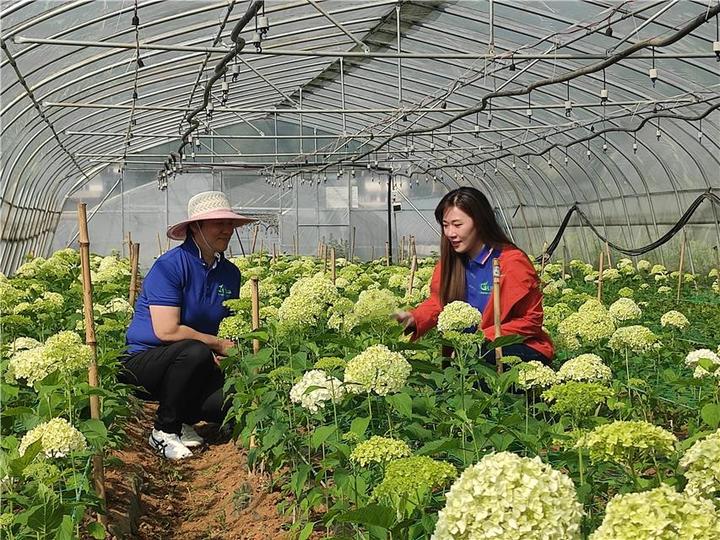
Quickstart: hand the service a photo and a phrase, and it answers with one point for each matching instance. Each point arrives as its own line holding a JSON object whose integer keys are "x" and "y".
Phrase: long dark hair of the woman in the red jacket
{"x": 476, "y": 205}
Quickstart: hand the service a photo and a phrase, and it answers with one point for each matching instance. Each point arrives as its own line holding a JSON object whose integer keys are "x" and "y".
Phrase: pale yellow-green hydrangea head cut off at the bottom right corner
{"x": 658, "y": 514}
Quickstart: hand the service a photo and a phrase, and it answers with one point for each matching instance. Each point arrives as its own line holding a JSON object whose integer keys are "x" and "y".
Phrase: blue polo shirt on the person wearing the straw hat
{"x": 181, "y": 278}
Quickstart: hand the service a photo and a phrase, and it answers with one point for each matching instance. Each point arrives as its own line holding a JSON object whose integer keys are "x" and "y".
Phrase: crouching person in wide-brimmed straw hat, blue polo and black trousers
{"x": 173, "y": 348}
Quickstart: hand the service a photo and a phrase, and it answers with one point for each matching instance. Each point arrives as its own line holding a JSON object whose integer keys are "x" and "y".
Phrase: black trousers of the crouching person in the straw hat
{"x": 184, "y": 378}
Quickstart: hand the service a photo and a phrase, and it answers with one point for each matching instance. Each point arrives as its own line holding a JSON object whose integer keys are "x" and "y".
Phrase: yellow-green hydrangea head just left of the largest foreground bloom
{"x": 411, "y": 478}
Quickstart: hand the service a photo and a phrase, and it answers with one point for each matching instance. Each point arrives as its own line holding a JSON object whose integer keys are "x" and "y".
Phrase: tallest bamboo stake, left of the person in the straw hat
{"x": 93, "y": 379}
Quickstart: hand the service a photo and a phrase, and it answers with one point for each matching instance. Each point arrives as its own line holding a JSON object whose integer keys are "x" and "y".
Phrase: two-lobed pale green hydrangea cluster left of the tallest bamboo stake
{"x": 64, "y": 352}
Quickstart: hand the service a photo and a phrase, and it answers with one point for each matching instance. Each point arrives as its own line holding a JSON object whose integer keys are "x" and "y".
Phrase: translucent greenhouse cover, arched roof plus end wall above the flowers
{"x": 96, "y": 95}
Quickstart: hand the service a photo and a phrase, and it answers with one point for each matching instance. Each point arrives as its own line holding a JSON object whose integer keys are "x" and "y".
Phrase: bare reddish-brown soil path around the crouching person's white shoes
{"x": 211, "y": 495}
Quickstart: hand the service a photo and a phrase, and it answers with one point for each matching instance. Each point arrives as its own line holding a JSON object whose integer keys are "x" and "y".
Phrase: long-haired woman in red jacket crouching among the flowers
{"x": 471, "y": 239}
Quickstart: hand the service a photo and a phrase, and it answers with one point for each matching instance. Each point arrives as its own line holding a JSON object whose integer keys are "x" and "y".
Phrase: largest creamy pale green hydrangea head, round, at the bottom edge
{"x": 506, "y": 496}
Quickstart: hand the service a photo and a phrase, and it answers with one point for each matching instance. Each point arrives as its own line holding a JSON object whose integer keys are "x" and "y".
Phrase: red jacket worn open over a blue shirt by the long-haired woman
{"x": 520, "y": 304}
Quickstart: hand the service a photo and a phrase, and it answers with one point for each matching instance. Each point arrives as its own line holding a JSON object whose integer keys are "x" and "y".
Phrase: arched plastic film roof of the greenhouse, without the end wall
{"x": 72, "y": 105}
